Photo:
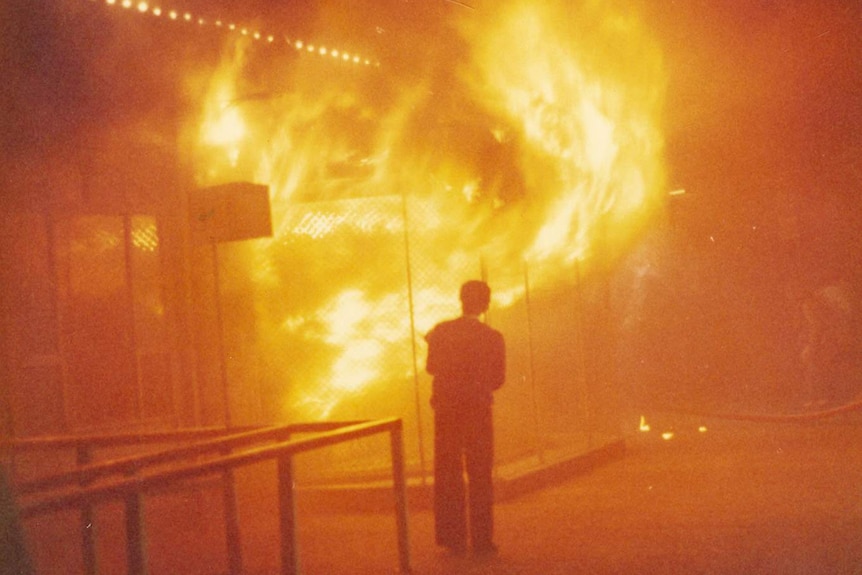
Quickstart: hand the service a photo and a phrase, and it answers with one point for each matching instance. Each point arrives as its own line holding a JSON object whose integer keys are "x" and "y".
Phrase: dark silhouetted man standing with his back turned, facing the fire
{"x": 468, "y": 361}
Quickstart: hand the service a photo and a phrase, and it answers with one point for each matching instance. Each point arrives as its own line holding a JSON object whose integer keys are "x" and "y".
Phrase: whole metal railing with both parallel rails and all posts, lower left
{"x": 131, "y": 488}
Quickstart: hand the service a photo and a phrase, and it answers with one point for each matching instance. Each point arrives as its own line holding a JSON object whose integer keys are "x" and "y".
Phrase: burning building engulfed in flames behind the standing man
{"x": 403, "y": 148}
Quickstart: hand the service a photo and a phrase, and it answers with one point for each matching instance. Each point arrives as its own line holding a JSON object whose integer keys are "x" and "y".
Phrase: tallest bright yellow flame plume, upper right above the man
{"x": 584, "y": 91}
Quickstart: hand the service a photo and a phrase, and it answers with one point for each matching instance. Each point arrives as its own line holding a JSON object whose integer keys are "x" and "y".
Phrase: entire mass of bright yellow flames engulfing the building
{"x": 541, "y": 140}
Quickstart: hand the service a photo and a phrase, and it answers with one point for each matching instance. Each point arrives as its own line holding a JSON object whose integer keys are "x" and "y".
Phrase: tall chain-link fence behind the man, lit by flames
{"x": 326, "y": 320}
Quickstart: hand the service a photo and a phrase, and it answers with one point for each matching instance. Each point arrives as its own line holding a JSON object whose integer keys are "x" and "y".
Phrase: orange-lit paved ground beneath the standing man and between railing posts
{"x": 781, "y": 498}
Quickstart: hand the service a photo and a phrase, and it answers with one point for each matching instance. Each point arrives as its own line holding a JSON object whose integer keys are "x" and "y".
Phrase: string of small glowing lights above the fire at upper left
{"x": 145, "y": 8}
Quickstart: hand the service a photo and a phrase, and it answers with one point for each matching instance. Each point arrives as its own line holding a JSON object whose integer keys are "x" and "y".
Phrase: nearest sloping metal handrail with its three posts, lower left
{"x": 133, "y": 489}
